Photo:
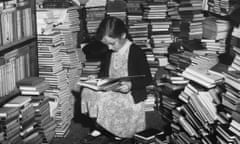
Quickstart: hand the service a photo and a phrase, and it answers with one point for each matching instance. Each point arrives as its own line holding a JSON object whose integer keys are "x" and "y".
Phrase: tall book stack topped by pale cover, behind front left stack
{"x": 69, "y": 26}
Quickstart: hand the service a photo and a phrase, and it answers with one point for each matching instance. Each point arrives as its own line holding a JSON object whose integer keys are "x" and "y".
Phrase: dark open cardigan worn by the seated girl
{"x": 137, "y": 65}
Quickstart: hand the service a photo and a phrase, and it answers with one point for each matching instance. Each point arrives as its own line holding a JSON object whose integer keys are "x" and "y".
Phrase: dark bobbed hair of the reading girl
{"x": 112, "y": 27}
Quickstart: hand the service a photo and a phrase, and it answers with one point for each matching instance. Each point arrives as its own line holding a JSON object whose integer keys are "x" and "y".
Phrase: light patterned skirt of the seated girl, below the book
{"x": 116, "y": 112}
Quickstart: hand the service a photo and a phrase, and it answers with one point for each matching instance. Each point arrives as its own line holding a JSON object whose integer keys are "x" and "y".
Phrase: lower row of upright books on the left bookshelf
{"x": 14, "y": 67}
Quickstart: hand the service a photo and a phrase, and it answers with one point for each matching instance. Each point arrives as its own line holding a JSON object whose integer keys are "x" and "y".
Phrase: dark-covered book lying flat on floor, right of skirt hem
{"x": 148, "y": 134}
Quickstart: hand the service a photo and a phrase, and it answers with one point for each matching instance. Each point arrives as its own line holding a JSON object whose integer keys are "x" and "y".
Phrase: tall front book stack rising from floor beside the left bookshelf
{"x": 51, "y": 68}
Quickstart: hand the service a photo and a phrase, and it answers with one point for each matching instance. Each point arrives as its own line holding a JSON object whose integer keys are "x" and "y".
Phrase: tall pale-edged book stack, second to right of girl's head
{"x": 156, "y": 13}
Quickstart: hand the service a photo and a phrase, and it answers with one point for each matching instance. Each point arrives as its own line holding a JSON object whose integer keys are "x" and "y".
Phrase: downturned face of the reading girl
{"x": 114, "y": 44}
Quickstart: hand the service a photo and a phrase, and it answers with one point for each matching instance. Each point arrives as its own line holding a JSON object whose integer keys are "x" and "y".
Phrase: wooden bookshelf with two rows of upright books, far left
{"x": 18, "y": 51}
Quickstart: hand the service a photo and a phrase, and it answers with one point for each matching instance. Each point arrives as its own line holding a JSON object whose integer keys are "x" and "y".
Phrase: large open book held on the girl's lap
{"x": 106, "y": 84}
